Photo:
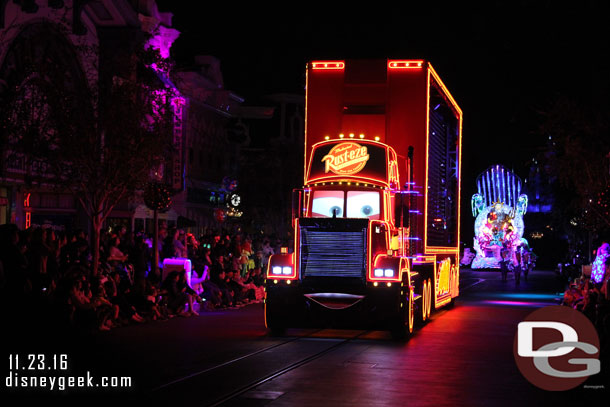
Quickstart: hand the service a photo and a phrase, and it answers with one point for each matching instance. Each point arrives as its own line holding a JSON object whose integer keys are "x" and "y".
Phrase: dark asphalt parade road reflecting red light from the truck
{"x": 462, "y": 357}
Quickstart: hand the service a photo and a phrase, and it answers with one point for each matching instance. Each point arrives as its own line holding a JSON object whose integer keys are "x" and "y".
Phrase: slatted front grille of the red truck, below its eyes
{"x": 332, "y": 253}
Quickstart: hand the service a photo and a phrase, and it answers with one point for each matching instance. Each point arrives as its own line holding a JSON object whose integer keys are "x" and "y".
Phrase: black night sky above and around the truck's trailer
{"x": 503, "y": 62}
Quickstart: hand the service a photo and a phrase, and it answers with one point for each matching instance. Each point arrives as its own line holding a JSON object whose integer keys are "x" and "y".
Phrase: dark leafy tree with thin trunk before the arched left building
{"x": 101, "y": 145}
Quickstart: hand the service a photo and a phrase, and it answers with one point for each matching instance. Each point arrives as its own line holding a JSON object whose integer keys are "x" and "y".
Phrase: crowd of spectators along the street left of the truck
{"x": 45, "y": 270}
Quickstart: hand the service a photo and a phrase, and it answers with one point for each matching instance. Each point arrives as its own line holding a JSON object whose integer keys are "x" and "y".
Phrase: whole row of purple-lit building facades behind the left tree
{"x": 73, "y": 42}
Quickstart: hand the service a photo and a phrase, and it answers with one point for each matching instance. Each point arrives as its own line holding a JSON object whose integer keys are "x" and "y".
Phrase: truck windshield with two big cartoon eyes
{"x": 360, "y": 204}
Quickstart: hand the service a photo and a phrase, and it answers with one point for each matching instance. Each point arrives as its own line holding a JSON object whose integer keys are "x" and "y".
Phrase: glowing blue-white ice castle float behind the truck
{"x": 498, "y": 208}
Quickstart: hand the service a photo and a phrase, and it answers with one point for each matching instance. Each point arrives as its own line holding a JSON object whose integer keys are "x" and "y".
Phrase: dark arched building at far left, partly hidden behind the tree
{"x": 45, "y": 44}
